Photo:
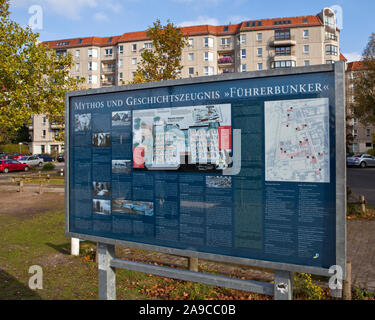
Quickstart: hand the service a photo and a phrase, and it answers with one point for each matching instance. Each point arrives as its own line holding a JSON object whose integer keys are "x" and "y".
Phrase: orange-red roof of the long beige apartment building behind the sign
{"x": 232, "y": 29}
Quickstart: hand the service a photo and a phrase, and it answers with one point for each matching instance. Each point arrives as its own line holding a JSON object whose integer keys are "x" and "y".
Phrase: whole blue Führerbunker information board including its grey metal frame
{"x": 239, "y": 169}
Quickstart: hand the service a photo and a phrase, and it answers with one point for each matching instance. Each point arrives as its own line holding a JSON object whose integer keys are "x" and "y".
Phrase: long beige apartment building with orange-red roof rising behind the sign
{"x": 212, "y": 50}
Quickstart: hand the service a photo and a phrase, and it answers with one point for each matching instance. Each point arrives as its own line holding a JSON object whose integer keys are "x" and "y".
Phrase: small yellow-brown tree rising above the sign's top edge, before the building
{"x": 163, "y": 62}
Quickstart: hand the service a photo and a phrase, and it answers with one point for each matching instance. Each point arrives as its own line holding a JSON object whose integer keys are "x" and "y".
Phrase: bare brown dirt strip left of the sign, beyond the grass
{"x": 27, "y": 204}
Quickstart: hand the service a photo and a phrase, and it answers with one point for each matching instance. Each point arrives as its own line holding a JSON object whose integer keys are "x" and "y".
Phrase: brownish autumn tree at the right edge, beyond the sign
{"x": 364, "y": 84}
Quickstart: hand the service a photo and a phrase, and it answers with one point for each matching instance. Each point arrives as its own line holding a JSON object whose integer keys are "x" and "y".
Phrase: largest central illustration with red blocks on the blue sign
{"x": 183, "y": 139}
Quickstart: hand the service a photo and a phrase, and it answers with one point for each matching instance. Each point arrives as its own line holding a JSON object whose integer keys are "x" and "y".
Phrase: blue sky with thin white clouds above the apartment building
{"x": 64, "y": 19}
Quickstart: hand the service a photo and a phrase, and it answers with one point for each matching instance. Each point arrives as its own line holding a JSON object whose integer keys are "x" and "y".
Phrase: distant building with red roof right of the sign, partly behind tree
{"x": 361, "y": 133}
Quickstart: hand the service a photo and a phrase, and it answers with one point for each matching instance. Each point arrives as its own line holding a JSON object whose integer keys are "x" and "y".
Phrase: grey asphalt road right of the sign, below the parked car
{"x": 362, "y": 182}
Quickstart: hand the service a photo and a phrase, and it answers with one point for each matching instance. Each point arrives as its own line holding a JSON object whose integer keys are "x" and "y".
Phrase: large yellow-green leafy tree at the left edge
{"x": 33, "y": 78}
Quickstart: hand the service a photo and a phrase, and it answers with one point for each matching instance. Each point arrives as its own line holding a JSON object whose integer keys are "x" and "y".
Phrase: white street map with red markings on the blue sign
{"x": 297, "y": 140}
